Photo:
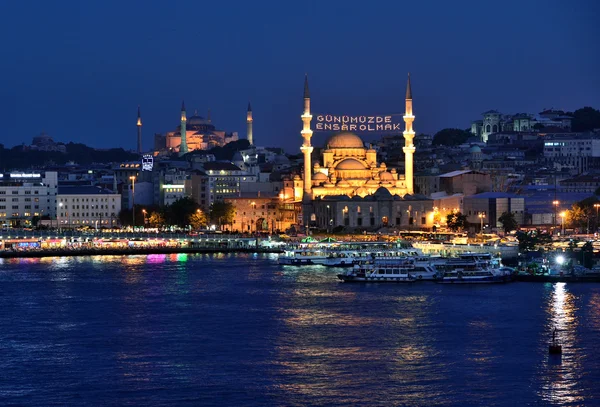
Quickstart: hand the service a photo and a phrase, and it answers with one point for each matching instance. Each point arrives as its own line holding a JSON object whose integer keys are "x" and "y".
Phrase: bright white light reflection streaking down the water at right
{"x": 561, "y": 374}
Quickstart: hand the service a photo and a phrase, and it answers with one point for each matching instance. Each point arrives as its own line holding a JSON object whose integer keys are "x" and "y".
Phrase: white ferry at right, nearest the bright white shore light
{"x": 462, "y": 271}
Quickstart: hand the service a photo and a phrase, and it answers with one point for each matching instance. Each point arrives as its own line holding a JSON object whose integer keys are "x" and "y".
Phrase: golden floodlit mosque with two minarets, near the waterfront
{"x": 350, "y": 188}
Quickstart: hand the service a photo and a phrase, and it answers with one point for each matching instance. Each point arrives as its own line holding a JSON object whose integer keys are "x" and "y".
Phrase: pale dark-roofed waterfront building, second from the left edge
{"x": 87, "y": 206}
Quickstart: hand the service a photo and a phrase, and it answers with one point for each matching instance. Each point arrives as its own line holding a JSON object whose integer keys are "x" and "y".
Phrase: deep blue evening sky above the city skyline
{"x": 79, "y": 69}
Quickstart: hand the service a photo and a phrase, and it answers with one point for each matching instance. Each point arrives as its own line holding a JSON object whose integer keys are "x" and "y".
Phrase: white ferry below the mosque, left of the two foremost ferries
{"x": 383, "y": 273}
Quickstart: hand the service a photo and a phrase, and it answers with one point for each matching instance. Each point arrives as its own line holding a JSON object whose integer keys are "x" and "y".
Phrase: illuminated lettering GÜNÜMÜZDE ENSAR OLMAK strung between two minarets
{"x": 328, "y": 122}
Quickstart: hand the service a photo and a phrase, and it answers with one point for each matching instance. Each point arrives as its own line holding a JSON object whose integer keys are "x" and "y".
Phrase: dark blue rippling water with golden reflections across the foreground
{"x": 241, "y": 330}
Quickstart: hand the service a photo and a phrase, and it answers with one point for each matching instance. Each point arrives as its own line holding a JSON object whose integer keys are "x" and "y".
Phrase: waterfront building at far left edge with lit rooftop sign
{"x": 27, "y": 195}
